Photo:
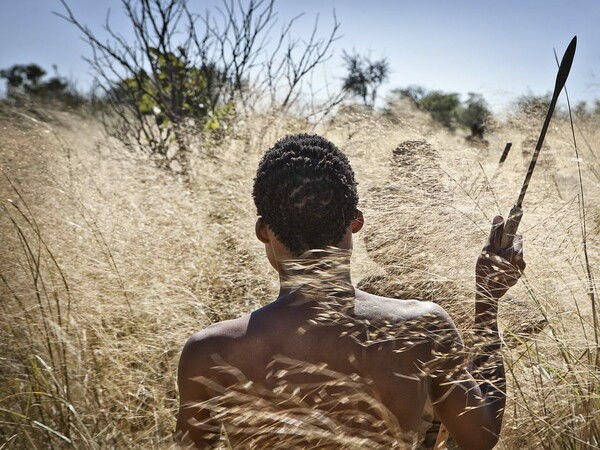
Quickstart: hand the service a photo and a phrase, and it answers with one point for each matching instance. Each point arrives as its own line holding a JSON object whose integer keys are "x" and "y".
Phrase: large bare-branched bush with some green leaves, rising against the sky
{"x": 181, "y": 69}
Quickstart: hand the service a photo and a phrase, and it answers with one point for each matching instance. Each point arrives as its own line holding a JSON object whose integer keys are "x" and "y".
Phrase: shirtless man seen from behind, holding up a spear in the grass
{"x": 306, "y": 198}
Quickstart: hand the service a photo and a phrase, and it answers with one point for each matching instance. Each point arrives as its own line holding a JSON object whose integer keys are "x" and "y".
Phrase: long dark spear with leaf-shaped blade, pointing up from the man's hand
{"x": 516, "y": 212}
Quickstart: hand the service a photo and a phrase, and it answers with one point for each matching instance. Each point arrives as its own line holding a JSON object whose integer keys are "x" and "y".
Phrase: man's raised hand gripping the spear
{"x": 498, "y": 268}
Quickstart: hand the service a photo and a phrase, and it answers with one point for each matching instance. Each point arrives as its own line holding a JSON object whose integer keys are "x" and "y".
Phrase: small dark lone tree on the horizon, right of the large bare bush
{"x": 364, "y": 76}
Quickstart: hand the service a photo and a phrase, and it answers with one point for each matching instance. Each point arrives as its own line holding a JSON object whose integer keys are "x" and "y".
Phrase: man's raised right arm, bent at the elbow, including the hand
{"x": 470, "y": 401}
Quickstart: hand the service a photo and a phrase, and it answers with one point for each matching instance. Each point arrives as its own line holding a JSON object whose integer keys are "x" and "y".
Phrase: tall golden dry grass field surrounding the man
{"x": 108, "y": 265}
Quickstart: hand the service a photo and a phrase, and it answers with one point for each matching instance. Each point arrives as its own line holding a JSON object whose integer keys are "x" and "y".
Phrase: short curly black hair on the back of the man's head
{"x": 306, "y": 192}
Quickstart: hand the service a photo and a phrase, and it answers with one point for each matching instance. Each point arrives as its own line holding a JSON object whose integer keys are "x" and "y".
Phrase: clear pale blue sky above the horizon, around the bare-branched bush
{"x": 501, "y": 49}
